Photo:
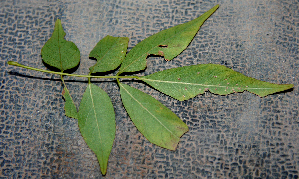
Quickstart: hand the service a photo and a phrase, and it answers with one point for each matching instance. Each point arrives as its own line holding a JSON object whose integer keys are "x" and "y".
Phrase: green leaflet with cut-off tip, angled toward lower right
{"x": 155, "y": 121}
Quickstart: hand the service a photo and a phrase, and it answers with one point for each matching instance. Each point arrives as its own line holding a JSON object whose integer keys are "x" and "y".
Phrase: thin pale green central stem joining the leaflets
{"x": 66, "y": 74}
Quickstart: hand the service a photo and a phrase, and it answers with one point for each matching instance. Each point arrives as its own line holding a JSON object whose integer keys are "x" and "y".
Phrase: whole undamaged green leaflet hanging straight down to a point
{"x": 97, "y": 123}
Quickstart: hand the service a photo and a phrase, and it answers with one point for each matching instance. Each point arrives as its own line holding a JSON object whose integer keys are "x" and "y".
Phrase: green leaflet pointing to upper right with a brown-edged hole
{"x": 168, "y": 43}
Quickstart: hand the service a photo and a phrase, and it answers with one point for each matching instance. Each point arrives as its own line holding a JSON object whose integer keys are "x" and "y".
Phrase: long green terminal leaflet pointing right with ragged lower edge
{"x": 186, "y": 82}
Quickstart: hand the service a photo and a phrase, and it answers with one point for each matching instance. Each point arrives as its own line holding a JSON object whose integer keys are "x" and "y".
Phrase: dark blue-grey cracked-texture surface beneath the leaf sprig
{"x": 236, "y": 136}
